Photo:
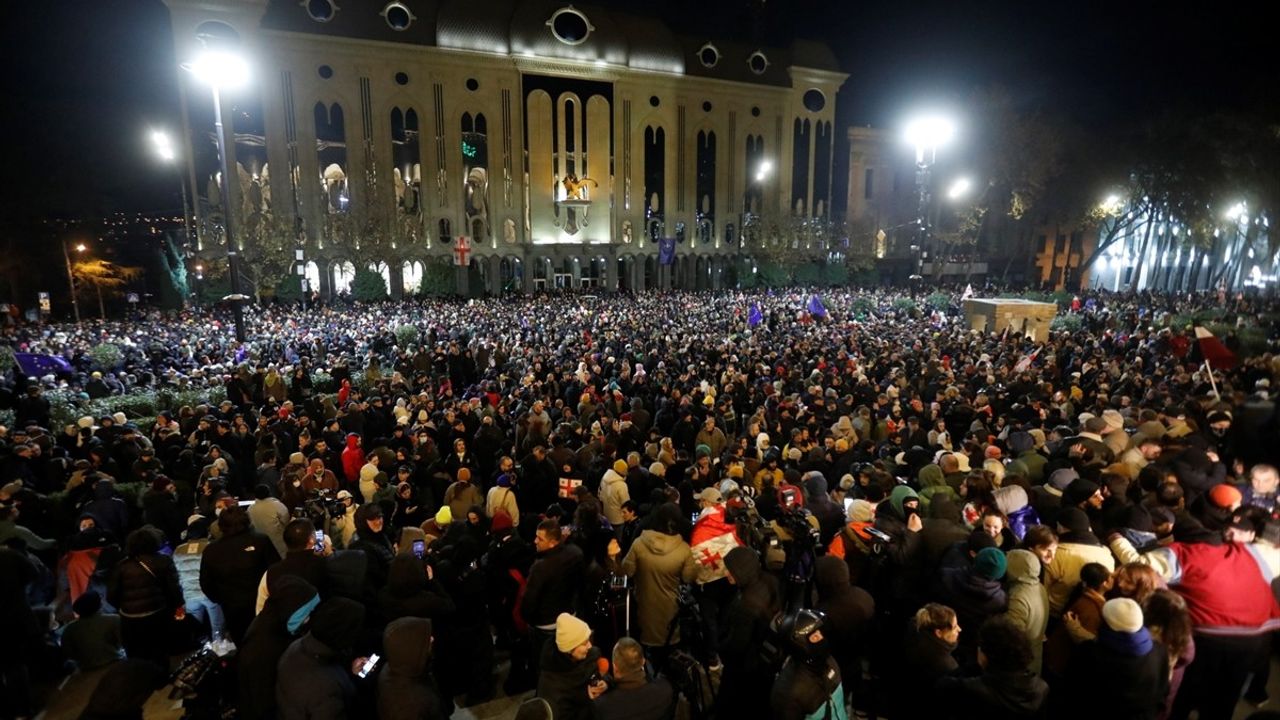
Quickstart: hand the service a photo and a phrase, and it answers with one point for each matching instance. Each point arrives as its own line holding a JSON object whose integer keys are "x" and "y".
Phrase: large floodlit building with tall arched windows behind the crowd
{"x": 563, "y": 142}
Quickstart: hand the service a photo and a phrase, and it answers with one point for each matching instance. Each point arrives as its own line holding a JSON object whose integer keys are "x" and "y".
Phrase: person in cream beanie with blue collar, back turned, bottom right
{"x": 1124, "y": 668}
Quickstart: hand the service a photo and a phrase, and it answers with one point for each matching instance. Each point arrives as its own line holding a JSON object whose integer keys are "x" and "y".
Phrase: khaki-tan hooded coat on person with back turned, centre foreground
{"x": 660, "y": 563}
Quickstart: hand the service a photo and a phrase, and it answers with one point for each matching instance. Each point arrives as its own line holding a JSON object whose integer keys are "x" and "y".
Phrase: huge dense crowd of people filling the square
{"x": 636, "y": 505}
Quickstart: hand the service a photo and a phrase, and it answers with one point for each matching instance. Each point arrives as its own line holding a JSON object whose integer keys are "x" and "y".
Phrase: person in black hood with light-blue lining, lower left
{"x": 282, "y": 621}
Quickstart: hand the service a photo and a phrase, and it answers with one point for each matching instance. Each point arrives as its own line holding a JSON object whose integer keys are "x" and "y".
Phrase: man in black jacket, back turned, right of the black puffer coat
{"x": 232, "y": 568}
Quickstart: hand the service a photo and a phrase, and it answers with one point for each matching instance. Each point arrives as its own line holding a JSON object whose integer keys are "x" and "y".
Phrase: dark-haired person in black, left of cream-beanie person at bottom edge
{"x": 1007, "y": 689}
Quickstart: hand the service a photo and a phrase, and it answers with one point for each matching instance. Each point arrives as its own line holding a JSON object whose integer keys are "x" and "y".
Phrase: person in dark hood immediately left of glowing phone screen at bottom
{"x": 316, "y": 673}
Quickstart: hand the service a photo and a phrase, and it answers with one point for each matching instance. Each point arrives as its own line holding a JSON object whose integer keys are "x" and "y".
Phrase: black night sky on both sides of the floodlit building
{"x": 85, "y": 79}
